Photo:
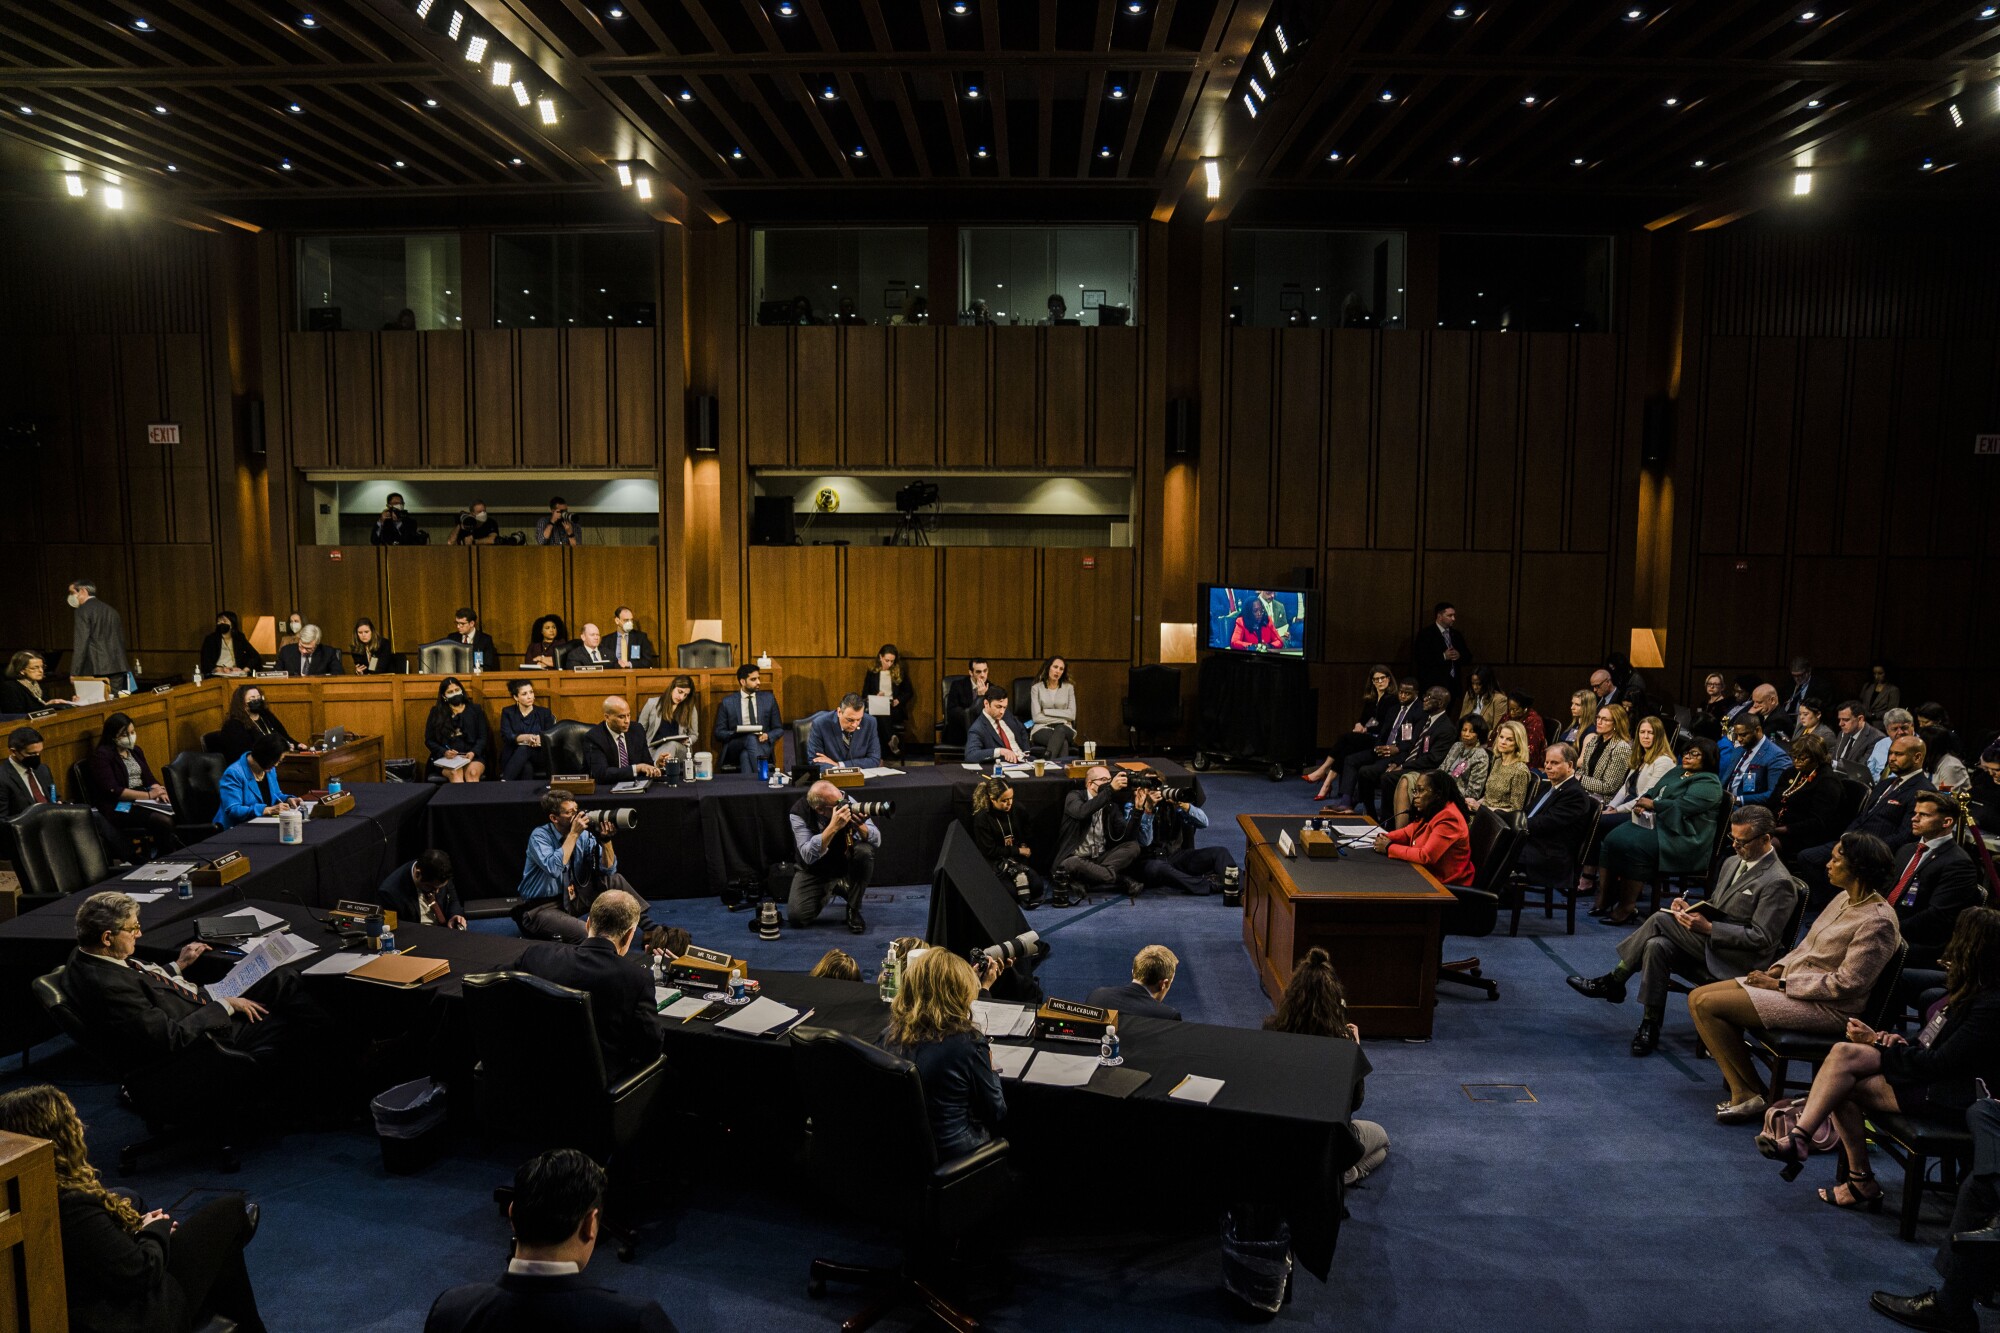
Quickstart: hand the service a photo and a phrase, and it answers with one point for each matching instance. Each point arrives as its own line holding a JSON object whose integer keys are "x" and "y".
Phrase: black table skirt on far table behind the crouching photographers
{"x": 697, "y": 838}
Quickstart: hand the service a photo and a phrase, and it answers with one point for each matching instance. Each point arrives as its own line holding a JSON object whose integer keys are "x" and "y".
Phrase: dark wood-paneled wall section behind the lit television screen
{"x": 1403, "y": 469}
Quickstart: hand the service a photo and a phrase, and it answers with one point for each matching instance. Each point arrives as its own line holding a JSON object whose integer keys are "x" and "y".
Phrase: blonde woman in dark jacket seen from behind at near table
{"x": 931, "y": 1026}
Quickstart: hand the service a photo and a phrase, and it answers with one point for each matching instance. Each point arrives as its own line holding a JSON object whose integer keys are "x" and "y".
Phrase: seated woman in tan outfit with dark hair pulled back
{"x": 1817, "y": 988}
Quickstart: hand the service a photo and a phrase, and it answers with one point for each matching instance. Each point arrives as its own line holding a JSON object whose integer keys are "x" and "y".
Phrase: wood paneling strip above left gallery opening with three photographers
{"x": 485, "y": 399}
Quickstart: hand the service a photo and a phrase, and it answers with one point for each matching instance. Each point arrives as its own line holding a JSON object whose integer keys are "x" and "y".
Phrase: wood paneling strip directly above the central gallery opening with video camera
{"x": 943, "y": 397}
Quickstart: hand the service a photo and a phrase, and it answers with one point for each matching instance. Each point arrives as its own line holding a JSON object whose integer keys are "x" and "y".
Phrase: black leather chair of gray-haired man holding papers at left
{"x": 207, "y": 1092}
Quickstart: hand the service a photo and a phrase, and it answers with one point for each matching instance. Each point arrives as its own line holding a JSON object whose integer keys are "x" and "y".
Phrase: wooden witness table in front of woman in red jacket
{"x": 1379, "y": 920}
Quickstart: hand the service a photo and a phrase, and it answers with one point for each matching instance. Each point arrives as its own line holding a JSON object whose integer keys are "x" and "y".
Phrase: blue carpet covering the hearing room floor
{"x": 1611, "y": 1200}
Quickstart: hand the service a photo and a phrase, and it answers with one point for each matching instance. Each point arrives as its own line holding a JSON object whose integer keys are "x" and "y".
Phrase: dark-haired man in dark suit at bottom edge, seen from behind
{"x": 557, "y": 1214}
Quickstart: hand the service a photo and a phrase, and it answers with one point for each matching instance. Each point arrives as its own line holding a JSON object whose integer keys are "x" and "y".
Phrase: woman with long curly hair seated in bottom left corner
{"x": 129, "y": 1270}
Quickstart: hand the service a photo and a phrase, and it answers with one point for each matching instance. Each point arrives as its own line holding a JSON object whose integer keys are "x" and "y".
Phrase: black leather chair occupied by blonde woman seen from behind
{"x": 871, "y": 1138}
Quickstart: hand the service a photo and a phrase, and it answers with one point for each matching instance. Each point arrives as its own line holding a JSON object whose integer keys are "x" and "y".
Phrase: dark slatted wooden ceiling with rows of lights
{"x": 1703, "y": 109}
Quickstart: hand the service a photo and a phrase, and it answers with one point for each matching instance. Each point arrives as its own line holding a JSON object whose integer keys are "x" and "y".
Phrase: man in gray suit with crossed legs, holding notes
{"x": 1739, "y": 930}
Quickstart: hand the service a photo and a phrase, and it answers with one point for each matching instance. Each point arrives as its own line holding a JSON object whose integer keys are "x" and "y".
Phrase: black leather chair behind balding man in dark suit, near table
{"x": 541, "y": 1078}
